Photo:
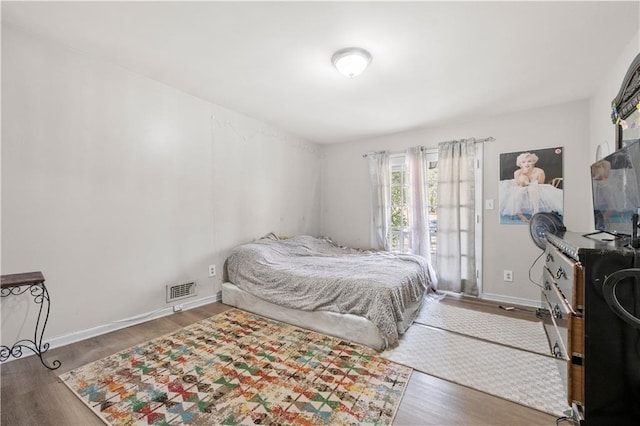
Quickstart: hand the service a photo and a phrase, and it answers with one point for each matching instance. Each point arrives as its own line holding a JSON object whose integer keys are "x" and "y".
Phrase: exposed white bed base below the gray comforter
{"x": 350, "y": 327}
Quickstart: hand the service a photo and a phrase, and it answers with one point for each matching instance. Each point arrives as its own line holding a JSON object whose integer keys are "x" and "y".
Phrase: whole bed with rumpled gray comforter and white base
{"x": 367, "y": 297}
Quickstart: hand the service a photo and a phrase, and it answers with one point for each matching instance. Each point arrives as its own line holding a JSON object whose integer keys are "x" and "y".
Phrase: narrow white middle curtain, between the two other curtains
{"x": 417, "y": 175}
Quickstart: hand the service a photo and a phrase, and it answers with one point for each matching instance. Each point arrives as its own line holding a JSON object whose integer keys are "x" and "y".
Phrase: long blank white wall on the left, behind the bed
{"x": 114, "y": 185}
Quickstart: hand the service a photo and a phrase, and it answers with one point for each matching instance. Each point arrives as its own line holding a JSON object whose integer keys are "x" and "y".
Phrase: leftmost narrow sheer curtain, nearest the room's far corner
{"x": 380, "y": 199}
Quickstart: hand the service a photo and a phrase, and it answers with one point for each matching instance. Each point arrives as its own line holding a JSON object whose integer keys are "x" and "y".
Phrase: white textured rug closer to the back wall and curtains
{"x": 514, "y": 332}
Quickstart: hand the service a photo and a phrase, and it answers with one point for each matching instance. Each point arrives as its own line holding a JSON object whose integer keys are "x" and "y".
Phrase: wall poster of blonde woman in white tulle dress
{"x": 530, "y": 182}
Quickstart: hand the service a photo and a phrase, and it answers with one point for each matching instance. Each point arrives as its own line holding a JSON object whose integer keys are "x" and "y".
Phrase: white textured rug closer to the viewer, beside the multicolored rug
{"x": 517, "y": 375}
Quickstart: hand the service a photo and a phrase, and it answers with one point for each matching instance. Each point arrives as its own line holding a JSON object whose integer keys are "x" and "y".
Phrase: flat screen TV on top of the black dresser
{"x": 615, "y": 183}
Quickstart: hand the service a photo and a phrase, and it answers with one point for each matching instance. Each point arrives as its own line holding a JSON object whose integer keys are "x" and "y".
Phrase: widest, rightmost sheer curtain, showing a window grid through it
{"x": 456, "y": 217}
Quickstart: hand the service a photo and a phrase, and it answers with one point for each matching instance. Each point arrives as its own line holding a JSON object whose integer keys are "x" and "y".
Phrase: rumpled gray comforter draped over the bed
{"x": 310, "y": 273}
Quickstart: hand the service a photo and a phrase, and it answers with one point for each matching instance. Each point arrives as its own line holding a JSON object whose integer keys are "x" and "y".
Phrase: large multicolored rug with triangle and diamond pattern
{"x": 239, "y": 368}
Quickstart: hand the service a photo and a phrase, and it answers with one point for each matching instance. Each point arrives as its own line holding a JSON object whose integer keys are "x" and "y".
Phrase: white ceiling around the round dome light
{"x": 433, "y": 62}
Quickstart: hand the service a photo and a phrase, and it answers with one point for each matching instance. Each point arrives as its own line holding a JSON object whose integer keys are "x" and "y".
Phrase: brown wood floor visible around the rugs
{"x": 32, "y": 395}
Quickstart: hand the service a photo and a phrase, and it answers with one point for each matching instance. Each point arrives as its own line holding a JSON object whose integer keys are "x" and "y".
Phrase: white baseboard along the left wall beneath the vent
{"x": 77, "y": 336}
